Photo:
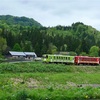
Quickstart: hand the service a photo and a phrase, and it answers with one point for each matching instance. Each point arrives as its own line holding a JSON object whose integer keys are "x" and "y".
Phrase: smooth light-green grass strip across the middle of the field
{"x": 55, "y": 78}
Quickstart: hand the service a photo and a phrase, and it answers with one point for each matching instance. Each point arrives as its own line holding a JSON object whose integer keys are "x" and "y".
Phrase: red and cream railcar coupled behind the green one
{"x": 86, "y": 60}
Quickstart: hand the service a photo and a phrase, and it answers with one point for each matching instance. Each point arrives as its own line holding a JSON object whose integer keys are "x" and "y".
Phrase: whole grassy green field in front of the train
{"x": 39, "y": 81}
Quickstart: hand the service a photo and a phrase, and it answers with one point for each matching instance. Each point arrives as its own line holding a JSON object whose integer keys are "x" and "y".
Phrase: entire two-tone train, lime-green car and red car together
{"x": 66, "y": 59}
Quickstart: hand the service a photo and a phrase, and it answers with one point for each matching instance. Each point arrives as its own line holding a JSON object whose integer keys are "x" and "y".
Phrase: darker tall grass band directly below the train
{"x": 40, "y": 67}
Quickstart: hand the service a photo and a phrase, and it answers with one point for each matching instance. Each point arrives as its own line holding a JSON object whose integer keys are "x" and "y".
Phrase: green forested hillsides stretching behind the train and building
{"x": 26, "y": 34}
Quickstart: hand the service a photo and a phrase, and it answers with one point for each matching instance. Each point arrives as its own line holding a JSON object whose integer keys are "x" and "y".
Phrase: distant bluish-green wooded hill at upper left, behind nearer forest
{"x": 23, "y": 21}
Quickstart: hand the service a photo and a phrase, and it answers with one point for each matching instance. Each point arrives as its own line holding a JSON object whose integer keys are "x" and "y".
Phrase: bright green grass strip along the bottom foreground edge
{"x": 46, "y": 94}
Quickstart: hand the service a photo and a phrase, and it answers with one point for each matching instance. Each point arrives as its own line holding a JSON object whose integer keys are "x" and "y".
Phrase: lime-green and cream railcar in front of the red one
{"x": 50, "y": 58}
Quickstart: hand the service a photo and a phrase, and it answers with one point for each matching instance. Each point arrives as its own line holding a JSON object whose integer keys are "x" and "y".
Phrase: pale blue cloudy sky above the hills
{"x": 55, "y": 12}
